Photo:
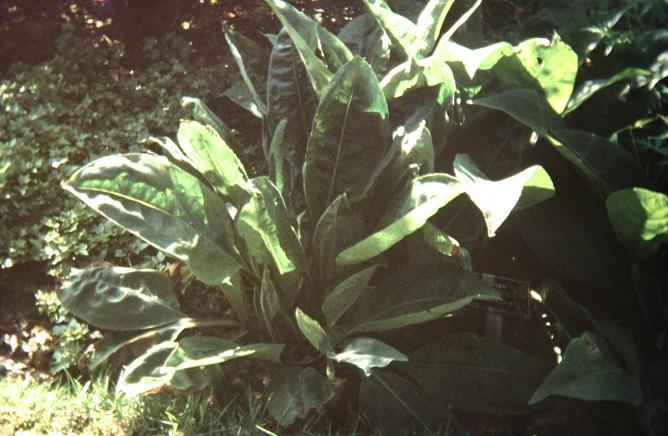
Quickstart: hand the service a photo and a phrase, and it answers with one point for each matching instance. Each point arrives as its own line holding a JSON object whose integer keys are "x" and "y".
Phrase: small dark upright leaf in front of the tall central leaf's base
{"x": 340, "y": 226}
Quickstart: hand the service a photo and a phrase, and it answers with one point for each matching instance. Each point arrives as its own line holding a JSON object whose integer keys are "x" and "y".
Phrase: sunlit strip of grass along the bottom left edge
{"x": 29, "y": 407}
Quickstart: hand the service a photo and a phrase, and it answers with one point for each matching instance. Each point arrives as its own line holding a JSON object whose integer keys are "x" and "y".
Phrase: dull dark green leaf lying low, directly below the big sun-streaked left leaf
{"x": 116, "y": 298}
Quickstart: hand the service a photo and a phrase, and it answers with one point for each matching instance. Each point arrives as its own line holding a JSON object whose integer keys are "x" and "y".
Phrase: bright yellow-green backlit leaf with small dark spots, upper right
{"x": 546, "y": 66}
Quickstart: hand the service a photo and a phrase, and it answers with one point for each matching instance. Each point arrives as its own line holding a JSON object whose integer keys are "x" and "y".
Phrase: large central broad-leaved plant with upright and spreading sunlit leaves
{"x": 310, "y": 257}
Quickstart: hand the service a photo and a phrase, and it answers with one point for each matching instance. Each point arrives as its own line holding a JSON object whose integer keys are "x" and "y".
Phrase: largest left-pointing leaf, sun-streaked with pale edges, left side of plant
{"x": 163, "y": 205}
